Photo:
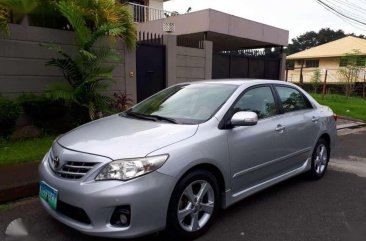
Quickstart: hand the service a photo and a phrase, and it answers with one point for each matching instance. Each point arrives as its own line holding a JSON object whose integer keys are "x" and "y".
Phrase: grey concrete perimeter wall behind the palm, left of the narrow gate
{"x": 22, "y": 61}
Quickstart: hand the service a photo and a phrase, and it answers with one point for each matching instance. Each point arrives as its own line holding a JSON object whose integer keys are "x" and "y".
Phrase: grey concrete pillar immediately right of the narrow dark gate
{"x": 170, "y": 42}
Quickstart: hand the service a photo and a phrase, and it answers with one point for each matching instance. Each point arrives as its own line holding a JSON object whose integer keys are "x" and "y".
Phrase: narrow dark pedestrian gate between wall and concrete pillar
{"x": 150, "y": 67}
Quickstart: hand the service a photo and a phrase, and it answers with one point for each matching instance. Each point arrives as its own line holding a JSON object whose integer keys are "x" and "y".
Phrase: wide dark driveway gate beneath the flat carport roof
{"x": 241, "y": 65}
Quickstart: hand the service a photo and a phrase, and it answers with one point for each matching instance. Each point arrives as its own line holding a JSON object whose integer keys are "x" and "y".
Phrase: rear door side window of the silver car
{"x": 291, "y": 99}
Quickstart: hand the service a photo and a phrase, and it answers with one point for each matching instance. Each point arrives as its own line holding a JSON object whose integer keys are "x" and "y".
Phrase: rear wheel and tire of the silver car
{"x": 319, "y": 160}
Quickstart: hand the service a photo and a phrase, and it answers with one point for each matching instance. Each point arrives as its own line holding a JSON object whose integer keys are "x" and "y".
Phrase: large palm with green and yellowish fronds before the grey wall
{"x": 87, "y": 73}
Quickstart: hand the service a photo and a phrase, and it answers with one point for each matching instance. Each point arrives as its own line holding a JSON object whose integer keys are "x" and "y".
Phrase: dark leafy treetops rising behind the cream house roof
{"x": 313, "y": 39}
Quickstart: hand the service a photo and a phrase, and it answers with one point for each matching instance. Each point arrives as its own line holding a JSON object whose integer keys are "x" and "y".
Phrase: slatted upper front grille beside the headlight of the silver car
{"x": 75, "y": 170}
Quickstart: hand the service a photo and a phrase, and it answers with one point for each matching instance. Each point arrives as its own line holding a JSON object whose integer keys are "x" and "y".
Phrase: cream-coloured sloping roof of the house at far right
{"x": 333, "y": 49}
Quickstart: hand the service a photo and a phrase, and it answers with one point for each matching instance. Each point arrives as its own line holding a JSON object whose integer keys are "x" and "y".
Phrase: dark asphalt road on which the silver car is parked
{"x": 296, "y": 210}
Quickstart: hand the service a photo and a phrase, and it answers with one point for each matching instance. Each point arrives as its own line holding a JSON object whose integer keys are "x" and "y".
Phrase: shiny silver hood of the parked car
{"x": 119, "y": 137}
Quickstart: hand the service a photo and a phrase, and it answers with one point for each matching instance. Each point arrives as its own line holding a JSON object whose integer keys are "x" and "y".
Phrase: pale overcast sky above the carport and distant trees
{"x": 296, "y": 16}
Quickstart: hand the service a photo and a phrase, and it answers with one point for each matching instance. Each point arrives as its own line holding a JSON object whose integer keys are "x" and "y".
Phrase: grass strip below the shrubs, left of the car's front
{"x": 27, "y": 150}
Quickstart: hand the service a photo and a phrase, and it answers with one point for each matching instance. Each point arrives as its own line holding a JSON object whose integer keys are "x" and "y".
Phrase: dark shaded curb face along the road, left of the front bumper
{"x": 19, "y": 192}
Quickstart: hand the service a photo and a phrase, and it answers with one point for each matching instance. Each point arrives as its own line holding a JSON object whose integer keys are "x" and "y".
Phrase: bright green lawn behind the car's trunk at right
{"x": 354, "y": 107}
